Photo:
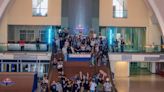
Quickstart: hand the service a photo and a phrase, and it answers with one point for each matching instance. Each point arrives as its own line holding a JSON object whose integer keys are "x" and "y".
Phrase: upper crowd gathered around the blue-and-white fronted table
{"x": 71, "y": 44}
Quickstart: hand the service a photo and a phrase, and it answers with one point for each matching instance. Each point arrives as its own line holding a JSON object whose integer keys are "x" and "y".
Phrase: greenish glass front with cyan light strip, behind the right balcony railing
{"x": 133, "y": 38}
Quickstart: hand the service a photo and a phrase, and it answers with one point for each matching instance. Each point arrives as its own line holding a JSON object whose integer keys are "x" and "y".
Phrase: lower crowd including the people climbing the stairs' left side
{"x": 80, "y": 82}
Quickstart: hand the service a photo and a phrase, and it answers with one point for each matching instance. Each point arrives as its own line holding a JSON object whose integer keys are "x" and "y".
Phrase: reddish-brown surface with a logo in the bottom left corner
{"x": 23, "y": 82}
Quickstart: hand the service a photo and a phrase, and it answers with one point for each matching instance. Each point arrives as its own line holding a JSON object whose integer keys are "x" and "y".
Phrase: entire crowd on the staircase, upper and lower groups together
{"x": 70, "y": 44}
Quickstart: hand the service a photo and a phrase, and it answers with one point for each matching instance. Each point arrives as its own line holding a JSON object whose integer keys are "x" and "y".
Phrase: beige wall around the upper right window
{"x": 137, "y": 14}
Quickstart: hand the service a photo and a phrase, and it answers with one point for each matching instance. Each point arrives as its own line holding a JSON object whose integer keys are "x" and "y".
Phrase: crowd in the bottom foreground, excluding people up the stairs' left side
{"x": 81, "y": 84}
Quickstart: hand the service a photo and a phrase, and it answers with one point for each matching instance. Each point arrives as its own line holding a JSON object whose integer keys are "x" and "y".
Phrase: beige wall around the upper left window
{"x": 20, "y": 13}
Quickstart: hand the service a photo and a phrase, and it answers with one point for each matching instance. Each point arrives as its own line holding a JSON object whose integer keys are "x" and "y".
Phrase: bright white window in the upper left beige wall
{"x": 40, "y": 7}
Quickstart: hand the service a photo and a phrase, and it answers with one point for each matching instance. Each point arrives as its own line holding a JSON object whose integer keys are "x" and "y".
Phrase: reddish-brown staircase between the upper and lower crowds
{"x": 73, "y": 68}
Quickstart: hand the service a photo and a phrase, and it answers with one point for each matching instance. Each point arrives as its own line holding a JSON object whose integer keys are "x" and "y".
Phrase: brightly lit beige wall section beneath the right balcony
{"x": 121, "y": 69}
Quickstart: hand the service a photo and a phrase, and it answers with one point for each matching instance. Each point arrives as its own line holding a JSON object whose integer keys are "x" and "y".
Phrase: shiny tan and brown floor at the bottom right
{"x": 147, "y": 83}
